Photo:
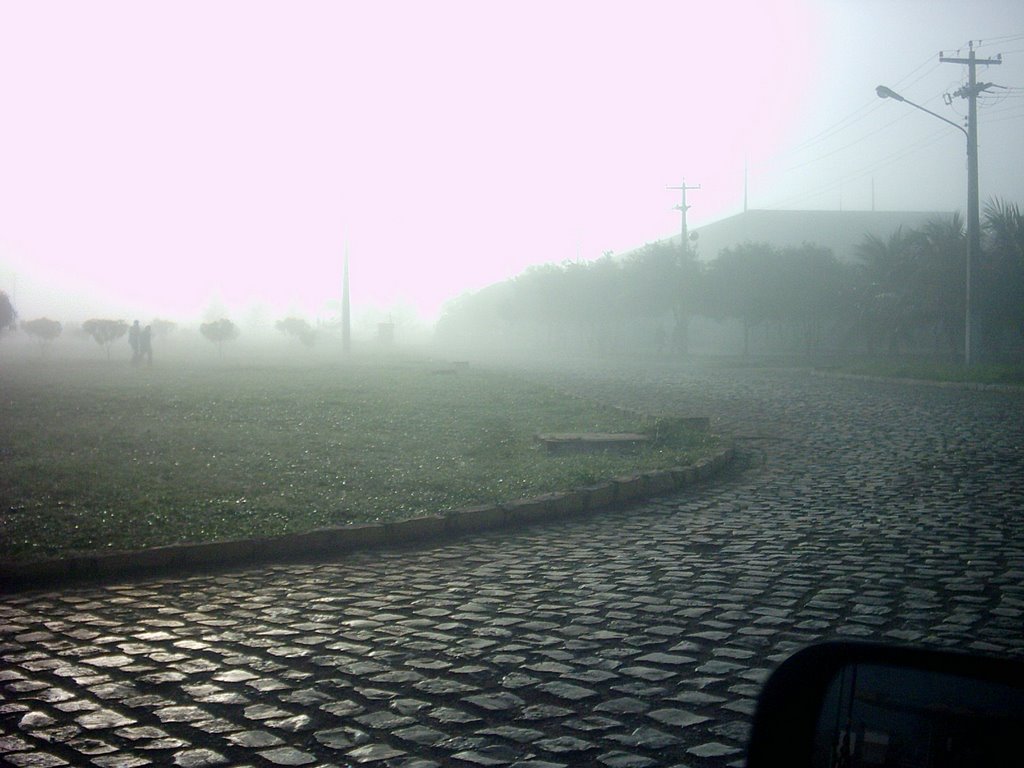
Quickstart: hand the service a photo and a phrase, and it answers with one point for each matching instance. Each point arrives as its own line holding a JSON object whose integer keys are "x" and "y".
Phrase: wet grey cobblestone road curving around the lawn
{"x": 633, "y": 638}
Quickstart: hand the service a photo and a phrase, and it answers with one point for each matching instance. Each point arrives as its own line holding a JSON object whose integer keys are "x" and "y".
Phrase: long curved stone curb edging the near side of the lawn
{"x": 188, "y": 559}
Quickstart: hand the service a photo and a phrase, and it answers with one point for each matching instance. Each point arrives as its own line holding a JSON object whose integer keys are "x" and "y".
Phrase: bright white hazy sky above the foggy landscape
{"x": 161, "y": 158}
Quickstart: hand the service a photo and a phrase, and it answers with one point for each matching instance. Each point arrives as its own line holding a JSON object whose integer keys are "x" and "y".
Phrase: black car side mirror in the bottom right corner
{"x": 842, "y": 704}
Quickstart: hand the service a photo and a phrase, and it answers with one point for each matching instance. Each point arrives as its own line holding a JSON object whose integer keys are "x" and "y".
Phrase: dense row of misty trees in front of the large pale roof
{"x": 903, "y": 294}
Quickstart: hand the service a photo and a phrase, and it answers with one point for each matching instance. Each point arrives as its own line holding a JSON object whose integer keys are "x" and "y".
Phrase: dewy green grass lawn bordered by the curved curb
{"x": 98, "y": 456}
